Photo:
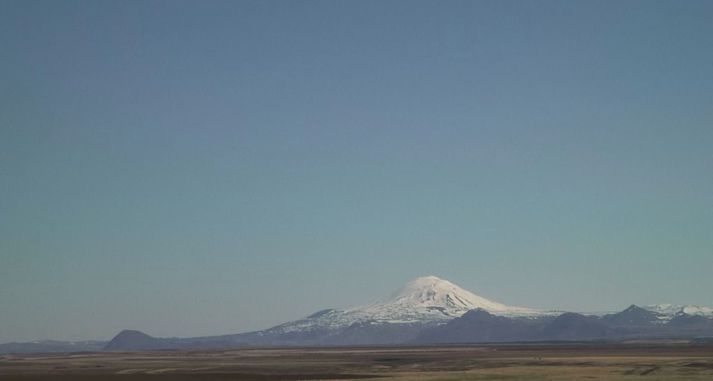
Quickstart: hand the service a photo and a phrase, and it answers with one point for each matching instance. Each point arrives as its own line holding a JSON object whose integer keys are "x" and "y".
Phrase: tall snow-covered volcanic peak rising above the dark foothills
{"x": 424, "y": 300}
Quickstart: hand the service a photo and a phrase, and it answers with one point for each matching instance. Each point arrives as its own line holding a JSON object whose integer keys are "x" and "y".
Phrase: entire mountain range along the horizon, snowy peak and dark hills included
{"x": 425, "y": 310}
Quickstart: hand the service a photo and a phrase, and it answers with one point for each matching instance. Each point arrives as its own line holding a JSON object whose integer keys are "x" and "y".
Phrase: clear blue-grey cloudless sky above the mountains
{"x": 205, "y": 167}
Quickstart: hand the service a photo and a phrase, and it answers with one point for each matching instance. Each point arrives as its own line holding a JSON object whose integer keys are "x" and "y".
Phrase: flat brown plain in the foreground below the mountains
{"x": 491, "y": 362}
